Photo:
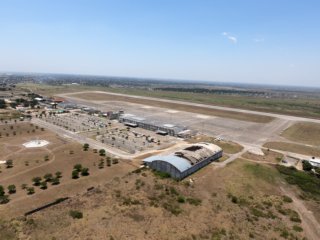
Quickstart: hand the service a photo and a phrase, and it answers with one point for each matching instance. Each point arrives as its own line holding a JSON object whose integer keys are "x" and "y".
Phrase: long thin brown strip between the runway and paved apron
{"x": 176, "y": 106}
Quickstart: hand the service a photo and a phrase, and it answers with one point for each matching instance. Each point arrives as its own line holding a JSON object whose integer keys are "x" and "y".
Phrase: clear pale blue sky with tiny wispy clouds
{"x": 248, "y": 41}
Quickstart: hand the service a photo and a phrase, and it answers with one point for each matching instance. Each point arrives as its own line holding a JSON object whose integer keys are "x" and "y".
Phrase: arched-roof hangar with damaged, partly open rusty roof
{"x": 188, "y": 160}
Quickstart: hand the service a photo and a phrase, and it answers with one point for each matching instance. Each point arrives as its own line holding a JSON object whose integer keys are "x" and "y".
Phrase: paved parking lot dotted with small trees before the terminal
{"x": 110, "y": 132}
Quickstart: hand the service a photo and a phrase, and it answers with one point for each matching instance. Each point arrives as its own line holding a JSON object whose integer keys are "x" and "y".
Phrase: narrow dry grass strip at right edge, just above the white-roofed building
{"x": 295, "y": 148}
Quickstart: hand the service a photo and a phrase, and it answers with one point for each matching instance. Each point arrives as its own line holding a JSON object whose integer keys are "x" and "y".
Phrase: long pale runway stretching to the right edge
{"x": 281, "y": 116}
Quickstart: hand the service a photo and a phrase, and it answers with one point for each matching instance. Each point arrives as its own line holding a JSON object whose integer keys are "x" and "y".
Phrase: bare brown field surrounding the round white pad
{"x": 59, "y": 155}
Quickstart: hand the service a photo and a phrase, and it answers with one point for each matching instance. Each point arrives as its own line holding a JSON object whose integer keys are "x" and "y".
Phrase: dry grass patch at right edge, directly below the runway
{"x": 307, "y": 133}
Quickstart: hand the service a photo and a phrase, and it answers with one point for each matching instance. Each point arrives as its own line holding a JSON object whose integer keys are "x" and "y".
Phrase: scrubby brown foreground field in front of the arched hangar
{"x": 245, "y": 202}
